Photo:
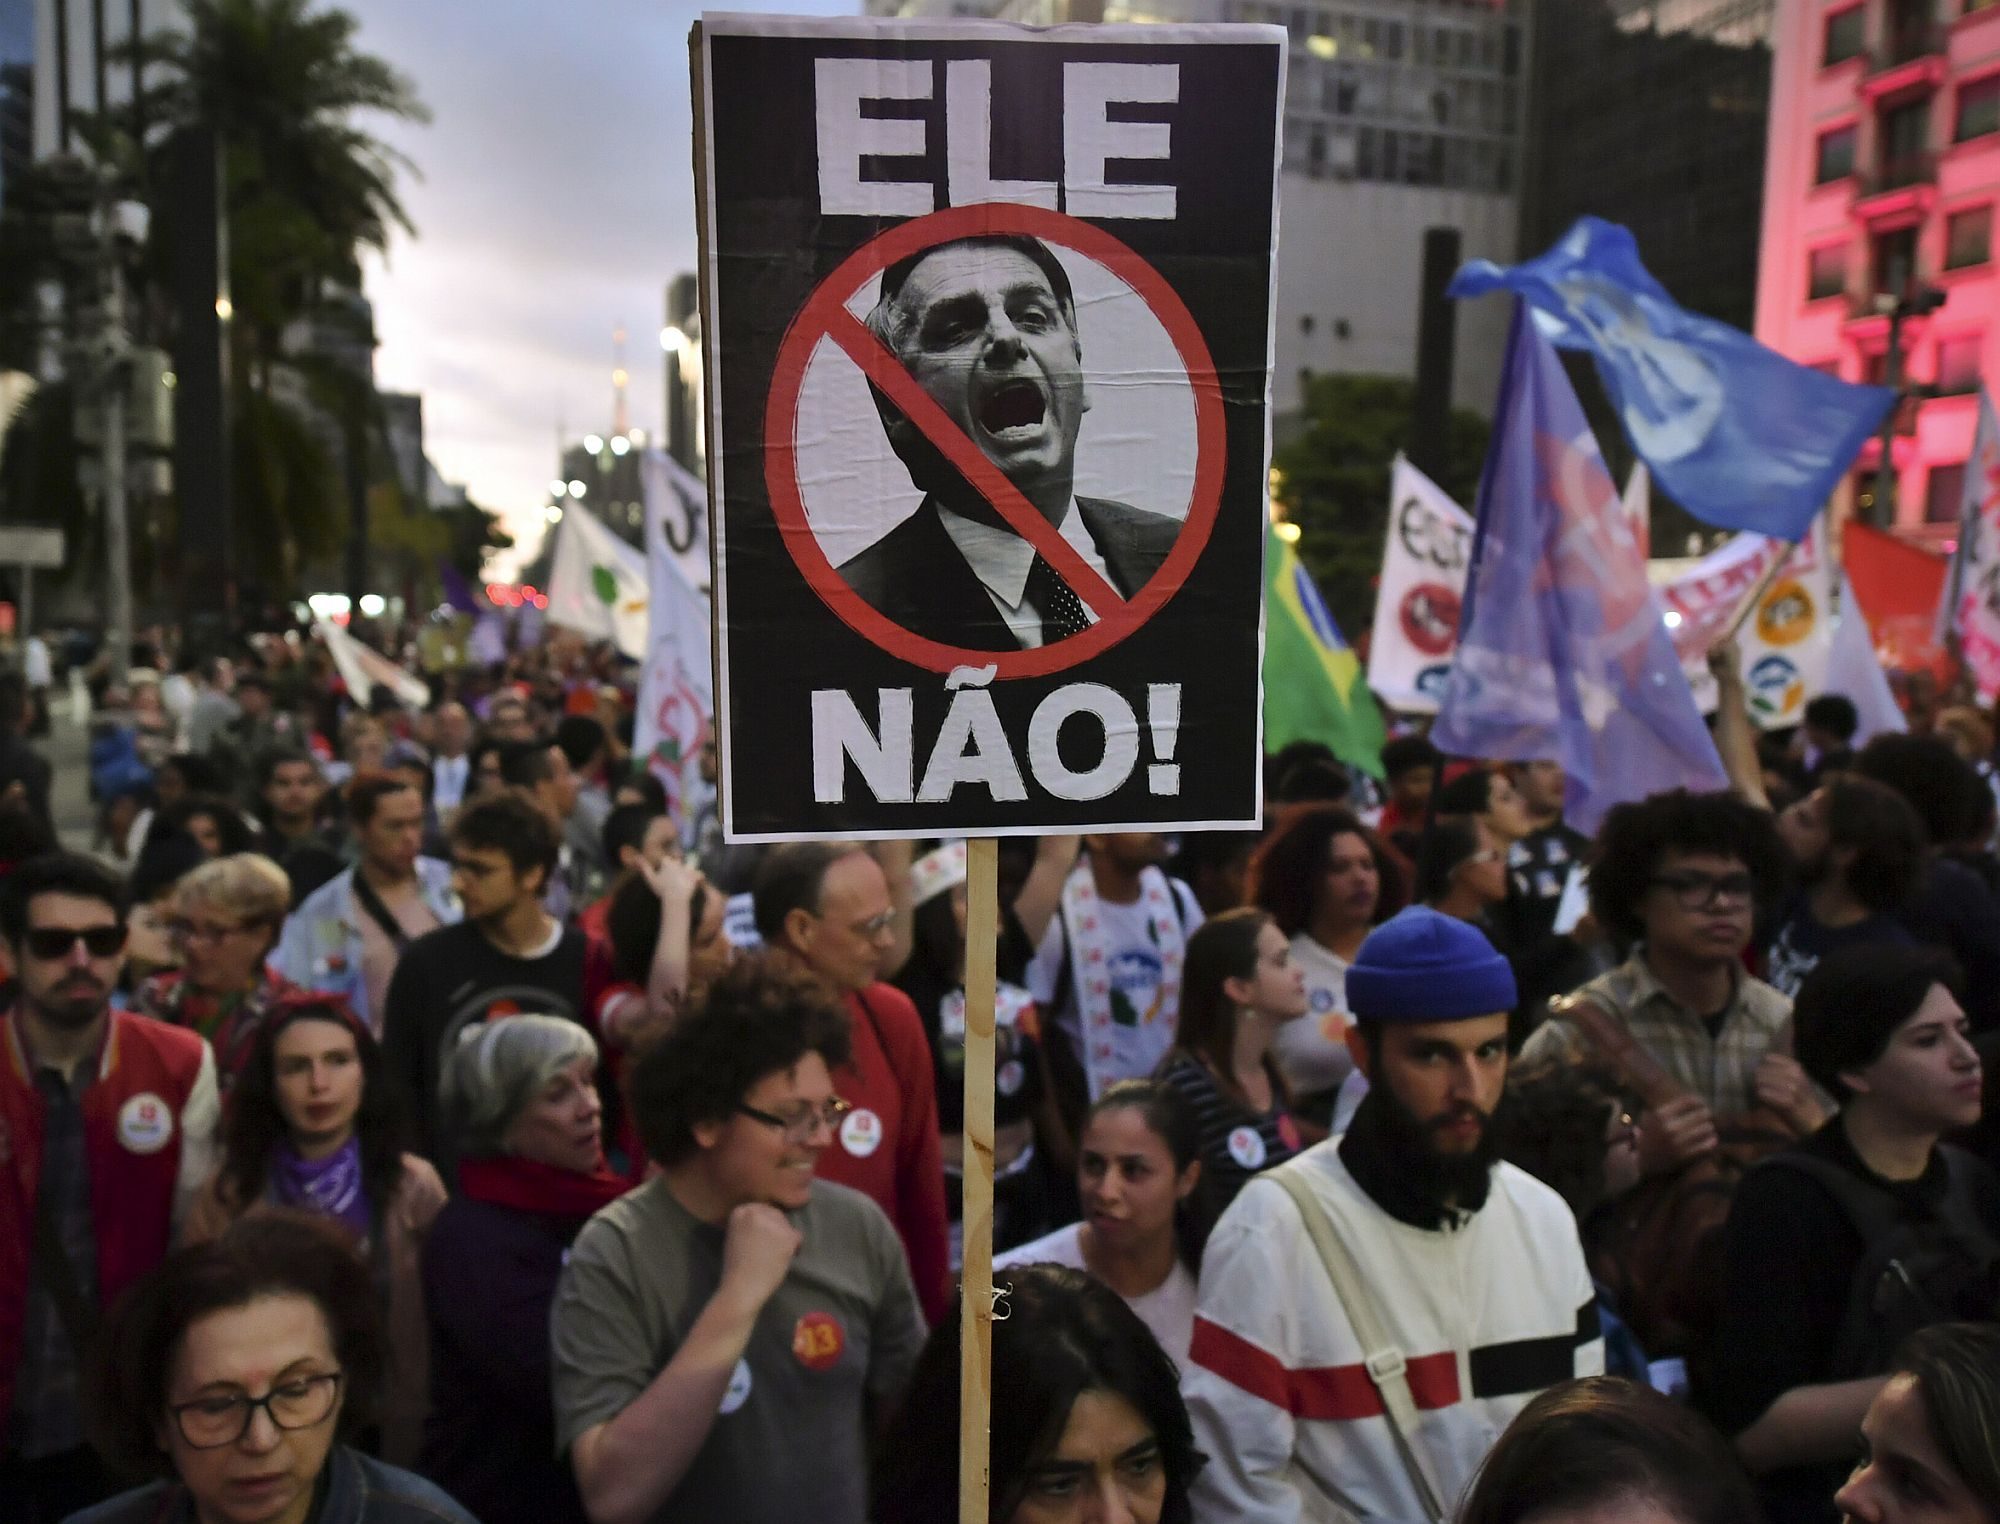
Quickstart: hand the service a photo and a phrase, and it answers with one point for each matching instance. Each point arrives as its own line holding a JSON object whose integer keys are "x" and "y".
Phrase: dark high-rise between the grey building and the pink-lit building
{"x": 1651, "y": 113}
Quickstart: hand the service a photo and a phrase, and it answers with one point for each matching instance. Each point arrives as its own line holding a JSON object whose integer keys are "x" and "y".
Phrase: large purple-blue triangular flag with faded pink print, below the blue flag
{"x": 1563, "y": 649}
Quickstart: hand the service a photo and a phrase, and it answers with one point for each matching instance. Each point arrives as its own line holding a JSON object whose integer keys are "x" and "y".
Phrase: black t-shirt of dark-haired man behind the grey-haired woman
{"x": 451, "y": 977}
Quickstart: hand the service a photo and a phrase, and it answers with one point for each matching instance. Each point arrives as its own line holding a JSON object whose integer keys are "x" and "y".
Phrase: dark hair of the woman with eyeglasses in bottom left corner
{"x": 263, "y": 1255}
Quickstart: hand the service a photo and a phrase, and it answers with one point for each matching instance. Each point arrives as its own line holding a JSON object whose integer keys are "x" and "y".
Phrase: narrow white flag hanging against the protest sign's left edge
{"x": 677, "y": 691}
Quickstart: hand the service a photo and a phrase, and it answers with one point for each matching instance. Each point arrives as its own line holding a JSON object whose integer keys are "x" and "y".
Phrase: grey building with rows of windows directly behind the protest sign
{"x": 1401, "y": 115}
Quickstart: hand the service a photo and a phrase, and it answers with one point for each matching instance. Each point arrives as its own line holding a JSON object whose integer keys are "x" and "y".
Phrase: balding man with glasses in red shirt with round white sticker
{"x": 829, "y": 907}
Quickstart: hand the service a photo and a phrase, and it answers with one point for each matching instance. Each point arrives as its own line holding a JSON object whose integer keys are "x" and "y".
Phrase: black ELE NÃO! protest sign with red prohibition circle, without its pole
{"x": 987, "y": 321}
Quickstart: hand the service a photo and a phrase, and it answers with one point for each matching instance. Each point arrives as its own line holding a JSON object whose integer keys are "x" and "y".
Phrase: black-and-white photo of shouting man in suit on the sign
{"x": 989, "y": 329}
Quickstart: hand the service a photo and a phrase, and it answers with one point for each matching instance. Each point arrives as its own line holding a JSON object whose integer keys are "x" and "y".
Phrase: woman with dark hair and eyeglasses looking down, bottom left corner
{"x": 239, "y": 1375}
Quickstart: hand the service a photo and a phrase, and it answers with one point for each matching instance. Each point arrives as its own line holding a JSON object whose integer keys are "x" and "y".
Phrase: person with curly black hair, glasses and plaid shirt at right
{"x": 1709, "y": 1047}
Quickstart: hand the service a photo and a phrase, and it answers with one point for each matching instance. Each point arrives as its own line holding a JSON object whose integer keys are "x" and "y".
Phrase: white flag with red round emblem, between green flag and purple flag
{"x": 1421, "y": 593}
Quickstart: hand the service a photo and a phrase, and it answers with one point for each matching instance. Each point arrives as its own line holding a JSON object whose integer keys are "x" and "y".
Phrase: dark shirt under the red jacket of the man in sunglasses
{"x": 47, "y": 1409}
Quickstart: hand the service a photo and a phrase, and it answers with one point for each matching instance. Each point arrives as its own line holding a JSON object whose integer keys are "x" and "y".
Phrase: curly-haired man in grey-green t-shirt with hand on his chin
{"x": 727, "y": 1335}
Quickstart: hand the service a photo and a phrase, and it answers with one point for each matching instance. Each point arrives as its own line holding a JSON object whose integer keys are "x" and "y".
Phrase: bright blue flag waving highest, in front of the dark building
{"x": 1733, "y": 431}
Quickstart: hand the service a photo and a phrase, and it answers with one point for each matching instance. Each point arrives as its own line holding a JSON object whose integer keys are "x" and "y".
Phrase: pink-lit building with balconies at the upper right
{"x": 1881, "y": 177}
